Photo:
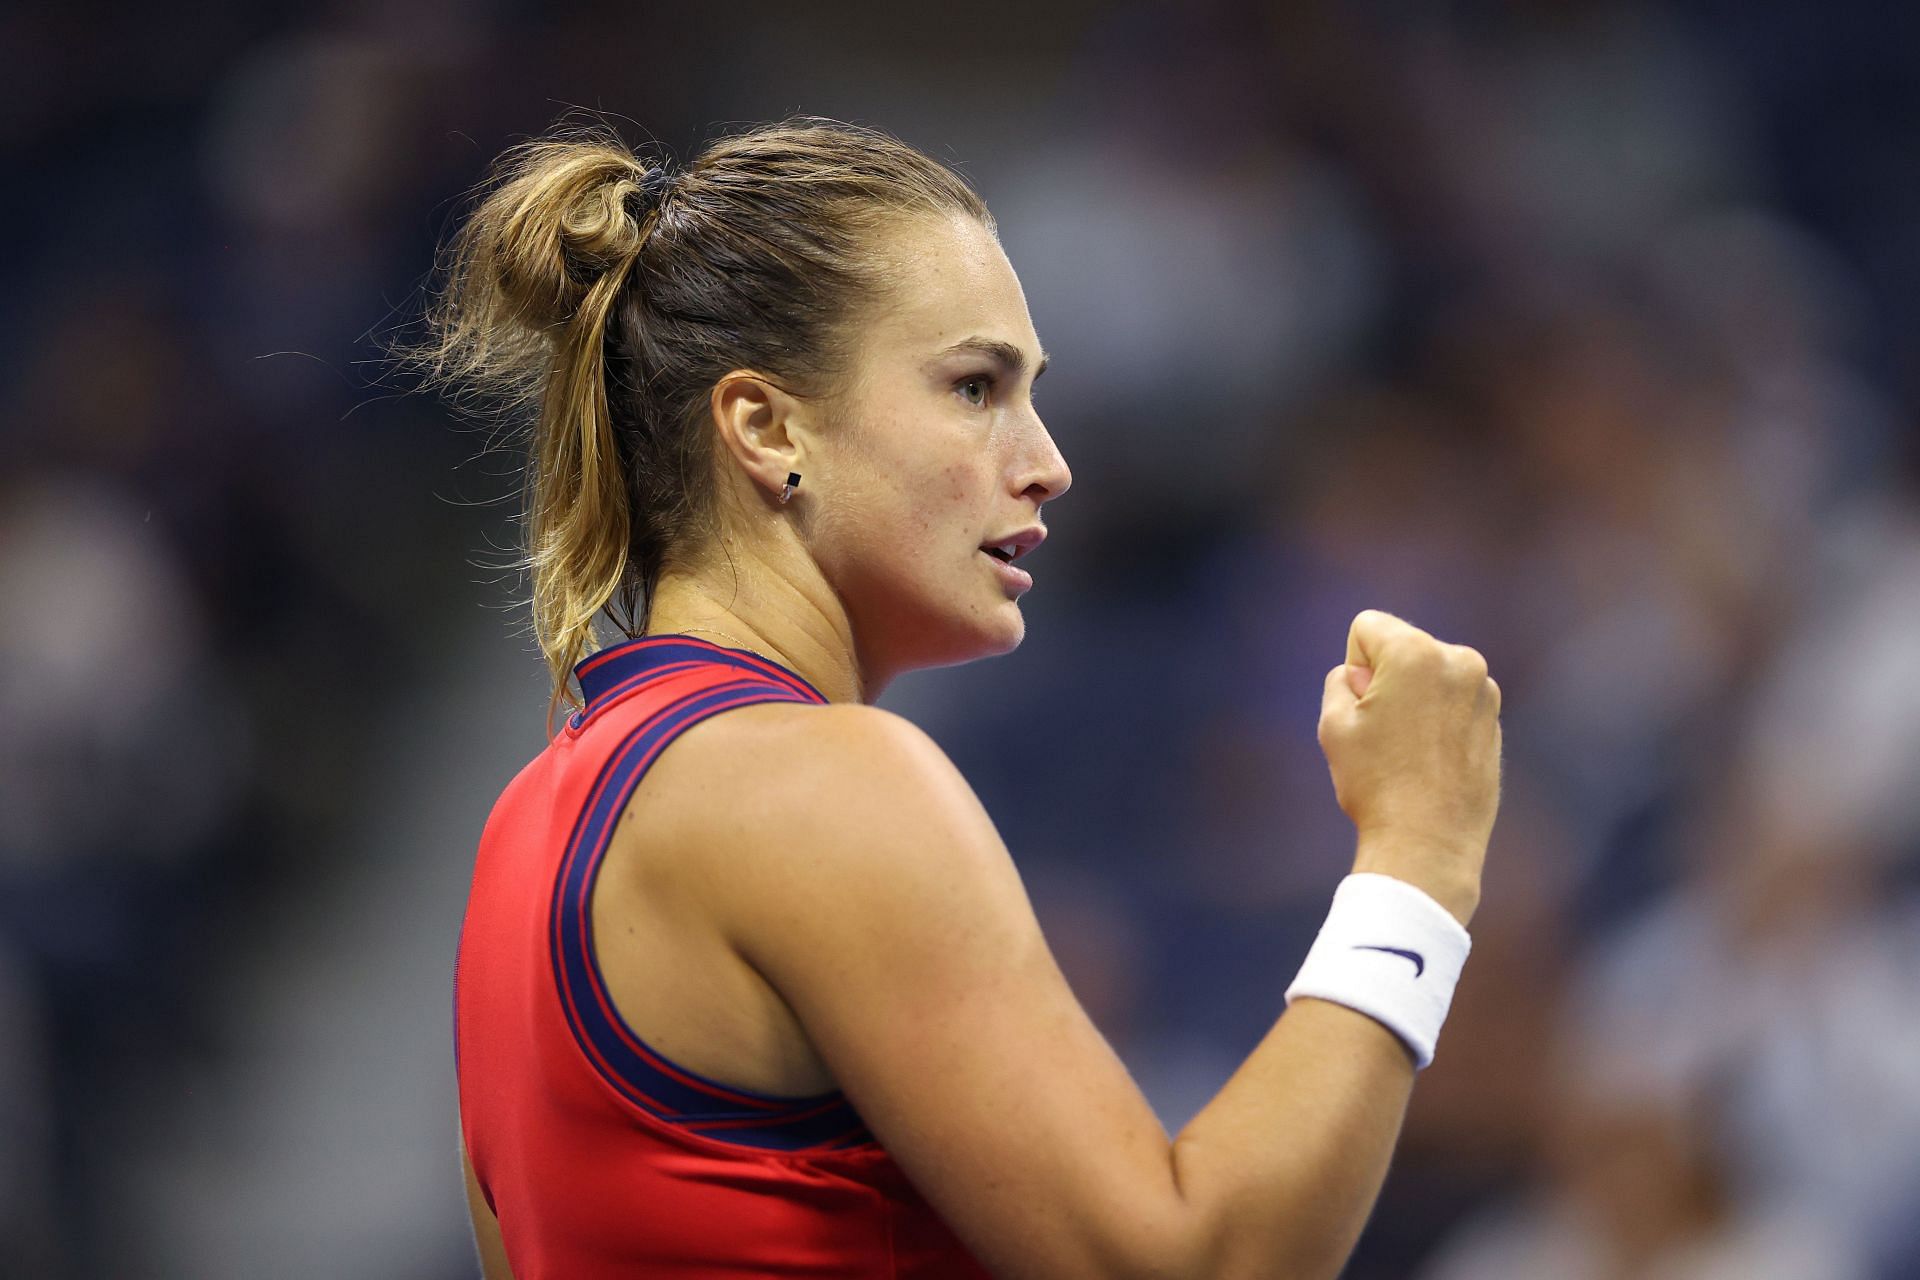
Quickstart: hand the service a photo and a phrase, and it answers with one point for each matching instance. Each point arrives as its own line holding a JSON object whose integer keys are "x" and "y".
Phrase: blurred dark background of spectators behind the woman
{"x": 1585, "y": 333}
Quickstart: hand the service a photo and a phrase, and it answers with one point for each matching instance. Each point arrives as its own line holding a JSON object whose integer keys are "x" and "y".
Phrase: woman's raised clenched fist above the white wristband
{"x": 1412, "y": 736}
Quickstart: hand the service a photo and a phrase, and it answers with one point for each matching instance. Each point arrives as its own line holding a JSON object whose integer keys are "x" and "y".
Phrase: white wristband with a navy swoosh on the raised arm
{"x": 1391, "y": 953}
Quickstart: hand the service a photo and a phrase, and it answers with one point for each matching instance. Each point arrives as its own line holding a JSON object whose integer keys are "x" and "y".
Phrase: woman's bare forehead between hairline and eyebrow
{"x": 948, "y": 279}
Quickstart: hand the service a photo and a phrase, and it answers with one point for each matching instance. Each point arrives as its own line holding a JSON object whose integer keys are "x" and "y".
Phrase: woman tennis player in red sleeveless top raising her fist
{"x": 748, "y": 982}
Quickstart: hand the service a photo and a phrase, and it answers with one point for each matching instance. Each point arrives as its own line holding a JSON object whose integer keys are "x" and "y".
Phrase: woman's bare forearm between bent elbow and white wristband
{"x": 1282, "y": 1170}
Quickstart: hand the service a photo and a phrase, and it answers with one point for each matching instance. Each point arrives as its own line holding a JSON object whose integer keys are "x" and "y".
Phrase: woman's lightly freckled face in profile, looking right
{"x": 919, "y": 473}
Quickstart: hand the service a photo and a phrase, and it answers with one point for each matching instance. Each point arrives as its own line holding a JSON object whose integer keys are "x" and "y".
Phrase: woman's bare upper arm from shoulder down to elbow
{"x": 867, "y": 884}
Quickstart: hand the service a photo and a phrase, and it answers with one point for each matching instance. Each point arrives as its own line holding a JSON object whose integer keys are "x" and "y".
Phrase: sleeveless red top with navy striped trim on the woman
{"x": 602, "y": 1158}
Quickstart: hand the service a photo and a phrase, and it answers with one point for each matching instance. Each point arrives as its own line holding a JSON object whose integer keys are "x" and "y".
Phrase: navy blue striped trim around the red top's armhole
{"x": 644, "y": 1078}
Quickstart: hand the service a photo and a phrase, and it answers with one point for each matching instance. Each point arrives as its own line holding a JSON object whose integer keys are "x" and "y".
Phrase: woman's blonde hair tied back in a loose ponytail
{"x": 602, "y": 298}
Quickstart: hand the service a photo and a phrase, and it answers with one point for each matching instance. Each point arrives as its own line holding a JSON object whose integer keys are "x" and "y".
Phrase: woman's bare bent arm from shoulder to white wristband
{"x": 875, "y": 893}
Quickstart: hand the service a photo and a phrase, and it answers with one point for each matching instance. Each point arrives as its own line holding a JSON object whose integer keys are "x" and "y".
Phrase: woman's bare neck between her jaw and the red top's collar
{"x": 794, "y": 625}
